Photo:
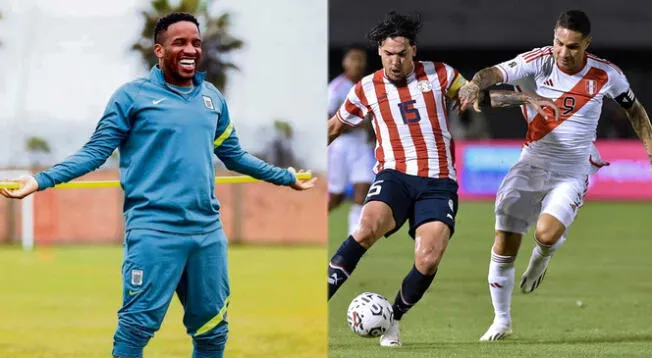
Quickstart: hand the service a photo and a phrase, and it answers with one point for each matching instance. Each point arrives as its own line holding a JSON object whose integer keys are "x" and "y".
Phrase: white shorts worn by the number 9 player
{"x": 527, "y": 192}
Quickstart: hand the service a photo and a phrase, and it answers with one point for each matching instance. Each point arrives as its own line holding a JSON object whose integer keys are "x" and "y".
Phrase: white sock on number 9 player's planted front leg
{"x": 501, "y": 284}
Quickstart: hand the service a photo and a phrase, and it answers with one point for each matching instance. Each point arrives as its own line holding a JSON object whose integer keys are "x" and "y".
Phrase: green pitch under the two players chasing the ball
{"x": 605, "y": 264}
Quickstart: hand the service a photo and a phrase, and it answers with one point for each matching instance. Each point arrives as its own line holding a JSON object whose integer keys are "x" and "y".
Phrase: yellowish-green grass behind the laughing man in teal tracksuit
{"x": 62, "y": 302}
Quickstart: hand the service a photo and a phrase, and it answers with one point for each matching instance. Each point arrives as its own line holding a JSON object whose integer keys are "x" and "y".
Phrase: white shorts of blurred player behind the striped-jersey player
{"x": 350, "y": 160}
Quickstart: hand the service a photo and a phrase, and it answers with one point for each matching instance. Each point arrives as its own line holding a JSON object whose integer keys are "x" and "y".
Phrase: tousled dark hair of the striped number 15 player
{"x": 396, "y": 25}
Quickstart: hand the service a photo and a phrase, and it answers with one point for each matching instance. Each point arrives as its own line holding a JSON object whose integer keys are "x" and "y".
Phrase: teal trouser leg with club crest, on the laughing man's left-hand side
{"x": 153, "y": 264}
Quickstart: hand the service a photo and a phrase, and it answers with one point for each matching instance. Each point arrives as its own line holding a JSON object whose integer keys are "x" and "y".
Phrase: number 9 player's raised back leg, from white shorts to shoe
{"x": 558, "y": 211}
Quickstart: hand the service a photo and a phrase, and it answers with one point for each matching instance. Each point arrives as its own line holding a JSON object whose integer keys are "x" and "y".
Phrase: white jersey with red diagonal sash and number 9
{"x": 564, "y": 146}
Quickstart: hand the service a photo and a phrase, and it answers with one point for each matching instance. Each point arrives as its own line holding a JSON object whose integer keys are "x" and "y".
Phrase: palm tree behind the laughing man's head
{"x": 216, "y": 39}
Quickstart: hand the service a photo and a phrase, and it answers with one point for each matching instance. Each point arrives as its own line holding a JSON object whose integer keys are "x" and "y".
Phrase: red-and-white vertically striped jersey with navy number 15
{"x": 410, "y": 120}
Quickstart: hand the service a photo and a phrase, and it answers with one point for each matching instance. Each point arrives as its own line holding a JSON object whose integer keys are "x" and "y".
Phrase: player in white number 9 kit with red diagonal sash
{"x": 548, "y": 183}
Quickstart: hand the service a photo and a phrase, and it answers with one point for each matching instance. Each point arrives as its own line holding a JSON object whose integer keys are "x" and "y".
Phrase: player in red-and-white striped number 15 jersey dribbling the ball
{"x": 415, "y": 173}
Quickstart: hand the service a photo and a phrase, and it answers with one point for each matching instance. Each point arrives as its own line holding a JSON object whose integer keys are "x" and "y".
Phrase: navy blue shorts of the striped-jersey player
{"x": 417, "y": 199}
